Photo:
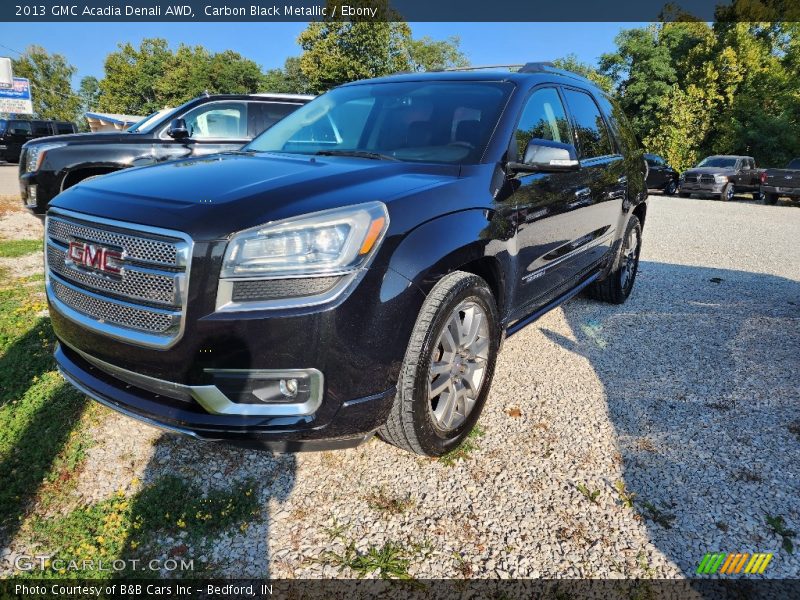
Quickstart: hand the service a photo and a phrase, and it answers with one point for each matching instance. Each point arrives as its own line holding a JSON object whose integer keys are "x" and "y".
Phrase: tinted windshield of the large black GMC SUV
{"x": 418, "y": 121}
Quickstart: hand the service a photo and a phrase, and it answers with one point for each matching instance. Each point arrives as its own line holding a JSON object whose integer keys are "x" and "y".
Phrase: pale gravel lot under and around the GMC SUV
{"x": 685, "y": 395}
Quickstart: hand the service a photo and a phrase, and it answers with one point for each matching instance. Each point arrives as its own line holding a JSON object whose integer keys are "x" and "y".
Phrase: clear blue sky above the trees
{"x": 85, "y": 45}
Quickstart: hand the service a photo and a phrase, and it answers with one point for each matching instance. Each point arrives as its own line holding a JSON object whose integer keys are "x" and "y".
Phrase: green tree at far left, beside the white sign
{"x": 51, "y": 83}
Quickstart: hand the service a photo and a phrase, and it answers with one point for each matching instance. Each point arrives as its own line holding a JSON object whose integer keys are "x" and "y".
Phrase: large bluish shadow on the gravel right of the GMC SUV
{"x": 700, "y": 373}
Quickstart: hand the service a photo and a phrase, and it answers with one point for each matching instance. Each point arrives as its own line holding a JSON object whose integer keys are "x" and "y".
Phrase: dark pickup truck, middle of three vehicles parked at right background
{"x": 723, "y": 177}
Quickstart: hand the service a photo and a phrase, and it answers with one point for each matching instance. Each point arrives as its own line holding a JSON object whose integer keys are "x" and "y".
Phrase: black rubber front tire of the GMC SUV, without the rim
{"x": 411, "y": 424}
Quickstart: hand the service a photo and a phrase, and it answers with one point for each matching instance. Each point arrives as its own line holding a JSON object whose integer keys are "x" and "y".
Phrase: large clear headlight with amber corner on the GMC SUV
{"x": 332, "y": 241}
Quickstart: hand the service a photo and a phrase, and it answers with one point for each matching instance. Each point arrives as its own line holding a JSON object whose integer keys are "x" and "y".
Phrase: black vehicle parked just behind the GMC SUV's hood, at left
{"x": 204, "y": 125}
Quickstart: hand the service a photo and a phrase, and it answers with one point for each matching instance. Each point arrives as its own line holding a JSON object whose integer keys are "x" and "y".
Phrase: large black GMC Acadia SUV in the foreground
{"x": 355, "y": 268}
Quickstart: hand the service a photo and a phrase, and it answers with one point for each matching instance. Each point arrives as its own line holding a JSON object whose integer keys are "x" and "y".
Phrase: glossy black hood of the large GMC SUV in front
{"x": 212, "y": 197}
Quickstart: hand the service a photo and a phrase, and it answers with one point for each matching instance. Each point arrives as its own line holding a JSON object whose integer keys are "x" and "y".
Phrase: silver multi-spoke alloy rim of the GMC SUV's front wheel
{"x": 458, "y": 365}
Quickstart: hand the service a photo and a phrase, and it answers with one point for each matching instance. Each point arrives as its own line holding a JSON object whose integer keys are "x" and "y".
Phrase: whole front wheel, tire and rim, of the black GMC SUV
{"x": 447, "y": 371}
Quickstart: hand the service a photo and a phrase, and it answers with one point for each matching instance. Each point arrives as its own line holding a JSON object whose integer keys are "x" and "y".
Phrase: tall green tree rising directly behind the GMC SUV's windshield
{"x": 336, "y": 52}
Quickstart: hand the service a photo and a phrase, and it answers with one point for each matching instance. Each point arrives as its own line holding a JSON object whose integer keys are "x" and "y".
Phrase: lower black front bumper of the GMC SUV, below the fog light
{"x": 175, "y": 410}
